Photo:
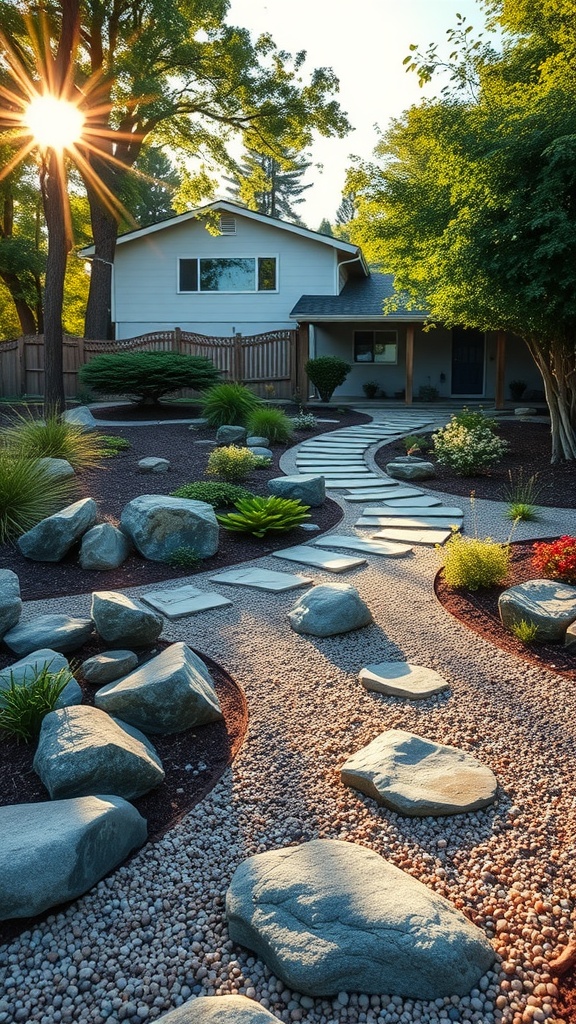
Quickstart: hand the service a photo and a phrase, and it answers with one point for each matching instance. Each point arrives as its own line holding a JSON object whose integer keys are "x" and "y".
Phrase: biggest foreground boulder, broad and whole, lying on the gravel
{"x": 330, "y": 917}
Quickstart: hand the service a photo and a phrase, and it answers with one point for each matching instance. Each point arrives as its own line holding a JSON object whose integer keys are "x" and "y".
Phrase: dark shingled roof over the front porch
{"x": 361, "y": 300}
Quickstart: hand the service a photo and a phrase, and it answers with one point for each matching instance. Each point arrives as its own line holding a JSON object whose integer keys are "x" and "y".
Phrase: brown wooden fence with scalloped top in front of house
{"x": 261, "y": 360}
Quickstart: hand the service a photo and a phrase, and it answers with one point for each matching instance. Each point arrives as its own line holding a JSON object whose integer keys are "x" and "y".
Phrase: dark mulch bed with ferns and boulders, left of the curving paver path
{"x": 118, "y": 482}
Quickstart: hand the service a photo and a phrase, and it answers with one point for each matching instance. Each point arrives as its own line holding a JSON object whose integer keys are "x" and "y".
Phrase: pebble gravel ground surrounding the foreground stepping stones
{"x": 153, "y": 933}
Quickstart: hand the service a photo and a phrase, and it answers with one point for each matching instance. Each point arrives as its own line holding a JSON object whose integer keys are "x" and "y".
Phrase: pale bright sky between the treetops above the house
{"x": 365, "y": 42}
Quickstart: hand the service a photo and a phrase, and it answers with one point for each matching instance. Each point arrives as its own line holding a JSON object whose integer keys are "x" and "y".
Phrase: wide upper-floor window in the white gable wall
{"x": 228, "y": 274}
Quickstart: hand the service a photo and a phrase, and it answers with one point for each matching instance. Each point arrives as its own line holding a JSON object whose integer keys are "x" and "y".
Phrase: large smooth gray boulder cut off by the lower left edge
{"x": 54, "y": 852}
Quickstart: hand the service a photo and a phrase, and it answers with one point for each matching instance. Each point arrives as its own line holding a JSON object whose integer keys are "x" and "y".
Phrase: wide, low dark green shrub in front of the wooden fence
{"x": 147, "y": 376}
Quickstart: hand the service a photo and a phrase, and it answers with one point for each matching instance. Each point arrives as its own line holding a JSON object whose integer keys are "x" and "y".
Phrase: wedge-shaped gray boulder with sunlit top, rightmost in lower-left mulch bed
{"x": 172, "y": 693}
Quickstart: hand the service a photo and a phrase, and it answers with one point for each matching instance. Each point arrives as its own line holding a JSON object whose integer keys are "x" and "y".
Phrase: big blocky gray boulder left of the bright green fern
{"x": 158, "y": 526}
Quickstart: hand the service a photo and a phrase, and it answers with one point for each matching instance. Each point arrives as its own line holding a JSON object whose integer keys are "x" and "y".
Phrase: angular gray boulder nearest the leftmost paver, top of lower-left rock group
{"x": 125, "y": 621}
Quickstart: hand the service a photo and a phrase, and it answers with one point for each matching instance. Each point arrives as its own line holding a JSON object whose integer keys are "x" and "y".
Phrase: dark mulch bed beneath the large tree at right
{"x": 530, "y": 450}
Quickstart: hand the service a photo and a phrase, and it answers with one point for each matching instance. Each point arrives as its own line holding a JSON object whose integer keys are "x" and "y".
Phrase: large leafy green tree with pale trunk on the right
{"x": 471, "y": 200}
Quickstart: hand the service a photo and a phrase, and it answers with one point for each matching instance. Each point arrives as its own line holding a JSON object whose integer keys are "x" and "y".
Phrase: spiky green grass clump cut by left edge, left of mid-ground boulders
{"x": 29, "y": 493}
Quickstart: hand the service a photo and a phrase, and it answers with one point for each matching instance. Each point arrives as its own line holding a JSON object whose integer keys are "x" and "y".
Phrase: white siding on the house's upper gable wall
{"x": 146, "y": 285}
